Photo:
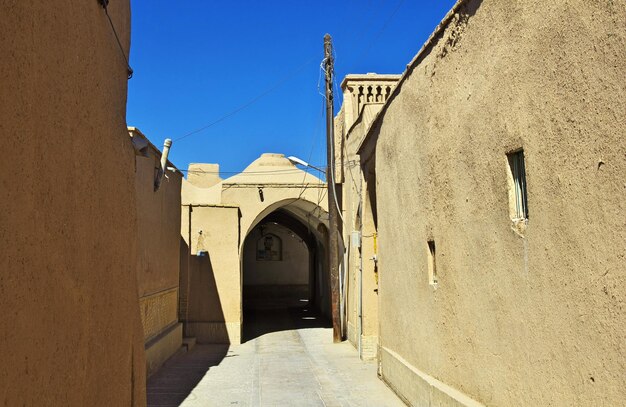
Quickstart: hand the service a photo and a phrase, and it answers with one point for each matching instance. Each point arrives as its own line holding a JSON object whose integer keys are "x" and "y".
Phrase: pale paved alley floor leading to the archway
{"x": 283, "y": 367}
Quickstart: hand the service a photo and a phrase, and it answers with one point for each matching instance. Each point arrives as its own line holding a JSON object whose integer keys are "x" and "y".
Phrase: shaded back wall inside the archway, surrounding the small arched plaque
{"x": 292, "y": 269}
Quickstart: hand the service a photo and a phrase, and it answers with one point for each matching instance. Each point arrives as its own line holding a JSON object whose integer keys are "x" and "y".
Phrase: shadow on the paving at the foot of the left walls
{"x": 171, "y": 385}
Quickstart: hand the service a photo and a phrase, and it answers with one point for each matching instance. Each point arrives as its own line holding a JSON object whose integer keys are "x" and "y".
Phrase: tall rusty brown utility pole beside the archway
{"x": 333, "y": 213}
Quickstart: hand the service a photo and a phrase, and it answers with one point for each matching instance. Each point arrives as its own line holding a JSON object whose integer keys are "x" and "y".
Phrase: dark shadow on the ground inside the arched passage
{"x": 265, "y": 315}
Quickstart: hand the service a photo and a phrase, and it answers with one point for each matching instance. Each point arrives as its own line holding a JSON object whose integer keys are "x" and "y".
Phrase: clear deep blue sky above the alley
{"x": 195, "y": 61}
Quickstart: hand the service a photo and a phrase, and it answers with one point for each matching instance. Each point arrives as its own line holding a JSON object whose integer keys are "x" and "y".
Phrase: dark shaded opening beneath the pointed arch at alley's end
{"x": 285, "y": 283}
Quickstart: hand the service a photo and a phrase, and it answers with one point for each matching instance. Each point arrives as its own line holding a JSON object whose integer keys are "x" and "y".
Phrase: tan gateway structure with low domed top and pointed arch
{"x": 220, "y": 217}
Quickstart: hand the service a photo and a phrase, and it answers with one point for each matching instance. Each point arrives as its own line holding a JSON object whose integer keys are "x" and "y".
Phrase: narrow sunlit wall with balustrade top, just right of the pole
{"x": 363, "y": 99}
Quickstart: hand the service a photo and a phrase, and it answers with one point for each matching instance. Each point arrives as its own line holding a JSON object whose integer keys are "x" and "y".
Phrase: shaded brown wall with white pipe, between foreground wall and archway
{"x": 158, "y": 257}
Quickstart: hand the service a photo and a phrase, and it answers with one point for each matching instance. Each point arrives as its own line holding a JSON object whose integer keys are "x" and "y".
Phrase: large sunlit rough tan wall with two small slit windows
{"x": 526, "y": 320}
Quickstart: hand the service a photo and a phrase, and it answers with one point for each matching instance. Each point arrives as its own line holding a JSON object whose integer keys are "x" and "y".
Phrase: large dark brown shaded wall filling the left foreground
{"x": 70, "y": 332}
